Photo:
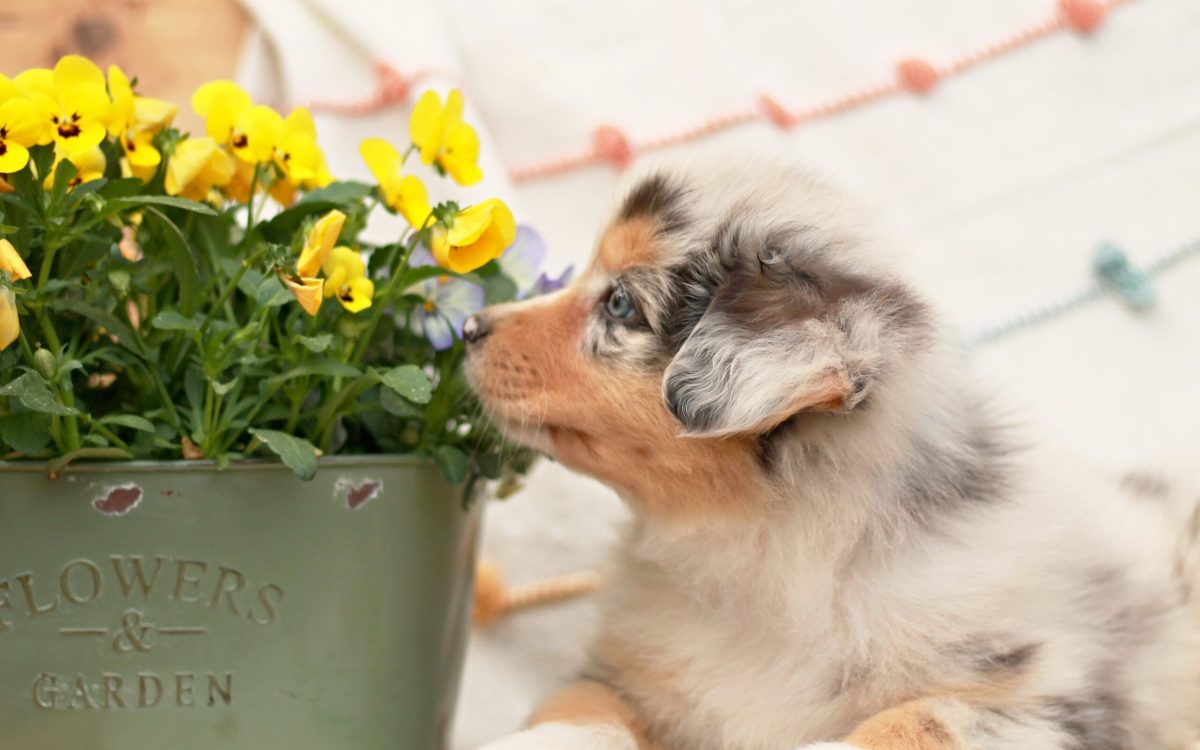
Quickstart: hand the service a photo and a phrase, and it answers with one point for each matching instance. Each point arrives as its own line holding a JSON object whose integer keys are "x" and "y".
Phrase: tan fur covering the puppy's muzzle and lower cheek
{"x": 604, "y": 421}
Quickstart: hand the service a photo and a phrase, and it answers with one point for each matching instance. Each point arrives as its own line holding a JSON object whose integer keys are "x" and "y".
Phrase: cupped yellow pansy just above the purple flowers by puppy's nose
{"x": 473, "y": 237}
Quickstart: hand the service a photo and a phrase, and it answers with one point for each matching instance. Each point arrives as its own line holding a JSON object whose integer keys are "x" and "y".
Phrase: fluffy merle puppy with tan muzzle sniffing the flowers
{"x": 835, "y": 544}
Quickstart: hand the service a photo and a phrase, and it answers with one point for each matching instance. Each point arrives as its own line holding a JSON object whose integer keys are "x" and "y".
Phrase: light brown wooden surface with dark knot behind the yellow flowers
{"x": 172, "y": 46}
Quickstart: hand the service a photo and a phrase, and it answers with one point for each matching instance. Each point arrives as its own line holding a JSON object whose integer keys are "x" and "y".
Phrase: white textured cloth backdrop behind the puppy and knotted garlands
{"x": 1000, "y": 185}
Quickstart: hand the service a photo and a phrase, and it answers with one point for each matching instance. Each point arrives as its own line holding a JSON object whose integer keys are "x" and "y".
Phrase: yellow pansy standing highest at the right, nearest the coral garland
{"x": 442, "y": 137}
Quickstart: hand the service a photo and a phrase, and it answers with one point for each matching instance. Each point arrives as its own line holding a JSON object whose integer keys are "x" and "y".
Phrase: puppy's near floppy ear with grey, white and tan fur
{"x": 776, "y": 340}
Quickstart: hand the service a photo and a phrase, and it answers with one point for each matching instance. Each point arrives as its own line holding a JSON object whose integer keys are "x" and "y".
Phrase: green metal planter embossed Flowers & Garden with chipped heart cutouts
{"x": 172, "y": 605}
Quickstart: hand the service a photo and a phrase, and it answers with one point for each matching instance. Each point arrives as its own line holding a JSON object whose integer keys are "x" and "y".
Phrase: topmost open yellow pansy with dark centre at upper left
{"x": 73, "y": 101}
